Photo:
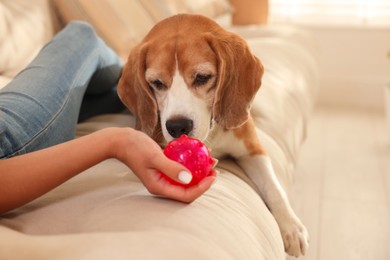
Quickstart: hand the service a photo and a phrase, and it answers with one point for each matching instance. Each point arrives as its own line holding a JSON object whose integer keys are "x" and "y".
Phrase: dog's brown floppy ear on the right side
{"x": 239, "y": 78}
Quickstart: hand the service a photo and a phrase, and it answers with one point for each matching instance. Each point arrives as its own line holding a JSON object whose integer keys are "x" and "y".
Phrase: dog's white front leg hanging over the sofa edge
{"x": 259, "y": 169}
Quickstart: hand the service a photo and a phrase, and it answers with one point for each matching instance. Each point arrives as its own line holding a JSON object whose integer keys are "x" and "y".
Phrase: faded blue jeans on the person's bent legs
{"x": 41, "y": 106}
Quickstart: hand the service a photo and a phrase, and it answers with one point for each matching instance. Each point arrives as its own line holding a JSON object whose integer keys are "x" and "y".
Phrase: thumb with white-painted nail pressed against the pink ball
{"x": 174, "y": 170}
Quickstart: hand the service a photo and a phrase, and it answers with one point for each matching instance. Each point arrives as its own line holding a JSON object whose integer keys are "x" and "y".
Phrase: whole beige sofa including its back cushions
{"x": 106, "y": 212}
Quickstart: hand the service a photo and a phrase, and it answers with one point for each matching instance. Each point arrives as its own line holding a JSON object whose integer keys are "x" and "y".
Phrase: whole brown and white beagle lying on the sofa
{"x": 190, "y": 76}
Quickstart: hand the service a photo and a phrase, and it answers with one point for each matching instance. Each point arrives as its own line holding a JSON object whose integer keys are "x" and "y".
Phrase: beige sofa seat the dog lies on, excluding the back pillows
{"x": 106, "y": 213}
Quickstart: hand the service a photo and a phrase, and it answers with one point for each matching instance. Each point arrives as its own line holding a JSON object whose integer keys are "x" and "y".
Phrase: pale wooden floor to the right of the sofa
{"x": 342, "y": 185}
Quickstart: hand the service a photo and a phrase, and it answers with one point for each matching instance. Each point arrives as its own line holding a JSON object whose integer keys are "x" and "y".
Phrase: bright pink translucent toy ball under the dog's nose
{"x": 193, "y": 154}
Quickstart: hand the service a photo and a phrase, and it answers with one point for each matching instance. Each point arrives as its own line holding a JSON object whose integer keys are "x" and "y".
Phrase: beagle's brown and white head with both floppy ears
{"x": 187, "y": 74}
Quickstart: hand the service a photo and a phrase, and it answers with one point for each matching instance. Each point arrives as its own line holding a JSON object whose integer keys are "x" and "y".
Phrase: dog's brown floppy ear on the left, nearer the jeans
{"x": 135, "y": 92}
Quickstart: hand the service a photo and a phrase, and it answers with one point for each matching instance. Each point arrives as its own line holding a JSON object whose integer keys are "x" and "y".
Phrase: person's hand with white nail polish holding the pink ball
{"x": 145, "y": 157}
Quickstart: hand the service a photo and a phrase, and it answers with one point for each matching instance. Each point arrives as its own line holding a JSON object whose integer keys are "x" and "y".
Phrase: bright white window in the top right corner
{"x": 331, "y": 12}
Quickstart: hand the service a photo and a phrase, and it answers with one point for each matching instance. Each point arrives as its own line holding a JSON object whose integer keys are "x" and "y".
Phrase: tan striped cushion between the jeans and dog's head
{"x": 119, "y": 23}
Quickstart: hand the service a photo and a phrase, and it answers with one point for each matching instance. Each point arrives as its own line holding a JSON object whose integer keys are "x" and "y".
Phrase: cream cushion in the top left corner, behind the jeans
{"x": 25, "y": 26}
